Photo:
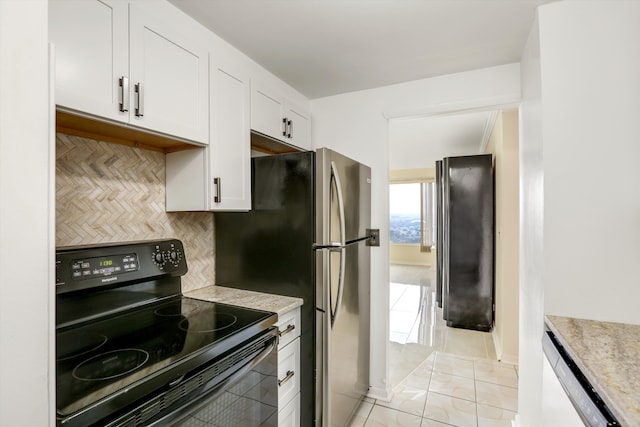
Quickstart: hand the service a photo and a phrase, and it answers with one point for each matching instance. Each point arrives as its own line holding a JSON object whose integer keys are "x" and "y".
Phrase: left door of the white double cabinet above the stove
{"x": 91, "y": 40}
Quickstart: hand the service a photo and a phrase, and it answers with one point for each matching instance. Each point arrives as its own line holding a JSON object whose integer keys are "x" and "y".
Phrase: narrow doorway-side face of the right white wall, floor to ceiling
{"x": 531, "y": 237}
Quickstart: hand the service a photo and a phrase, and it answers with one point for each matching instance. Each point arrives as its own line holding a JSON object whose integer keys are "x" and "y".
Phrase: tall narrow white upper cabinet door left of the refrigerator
{"x": 230, "y": 144}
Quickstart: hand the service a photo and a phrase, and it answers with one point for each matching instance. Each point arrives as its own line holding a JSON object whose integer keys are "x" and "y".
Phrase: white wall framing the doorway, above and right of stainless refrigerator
{"x": 356, "y": 125}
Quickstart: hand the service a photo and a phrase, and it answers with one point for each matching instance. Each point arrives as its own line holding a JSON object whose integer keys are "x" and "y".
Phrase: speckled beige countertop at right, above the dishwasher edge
{"x": 608, "y": 354}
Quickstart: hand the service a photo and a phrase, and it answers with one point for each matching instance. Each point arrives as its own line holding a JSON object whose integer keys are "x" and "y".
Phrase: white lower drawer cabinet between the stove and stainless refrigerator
{"x": 289, "y": 369}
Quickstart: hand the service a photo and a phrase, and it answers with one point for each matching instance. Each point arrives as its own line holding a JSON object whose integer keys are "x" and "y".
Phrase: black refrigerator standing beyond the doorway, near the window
{"x": 465, "y": 276}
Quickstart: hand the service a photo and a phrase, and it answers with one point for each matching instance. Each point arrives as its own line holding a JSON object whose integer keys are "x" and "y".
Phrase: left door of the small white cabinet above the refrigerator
{"x": 267, "y": 112}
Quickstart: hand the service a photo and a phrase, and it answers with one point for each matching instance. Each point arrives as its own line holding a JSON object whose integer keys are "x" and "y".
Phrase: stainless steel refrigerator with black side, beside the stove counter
{"x": 306, "y": 236}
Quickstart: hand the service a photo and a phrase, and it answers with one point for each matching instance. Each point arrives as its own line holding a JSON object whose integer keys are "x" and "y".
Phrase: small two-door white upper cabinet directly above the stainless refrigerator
{"x": 277, "y": 117}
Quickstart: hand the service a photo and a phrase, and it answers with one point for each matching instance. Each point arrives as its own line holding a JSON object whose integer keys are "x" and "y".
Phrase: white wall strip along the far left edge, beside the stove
{"x": 27, "y": 393}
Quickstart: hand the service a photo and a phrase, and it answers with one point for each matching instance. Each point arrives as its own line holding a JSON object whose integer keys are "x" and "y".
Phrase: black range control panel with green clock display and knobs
{"x": 84, "y": 267}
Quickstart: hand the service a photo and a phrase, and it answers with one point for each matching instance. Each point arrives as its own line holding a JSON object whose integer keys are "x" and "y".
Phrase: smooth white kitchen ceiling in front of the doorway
{"x": 328, "y": 47}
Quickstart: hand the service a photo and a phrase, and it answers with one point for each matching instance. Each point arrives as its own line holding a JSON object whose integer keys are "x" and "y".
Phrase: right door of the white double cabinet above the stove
{"x": 169, "y": 77}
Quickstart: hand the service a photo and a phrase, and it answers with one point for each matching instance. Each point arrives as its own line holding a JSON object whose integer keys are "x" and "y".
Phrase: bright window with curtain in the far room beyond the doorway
{"x": 412, "y": 214}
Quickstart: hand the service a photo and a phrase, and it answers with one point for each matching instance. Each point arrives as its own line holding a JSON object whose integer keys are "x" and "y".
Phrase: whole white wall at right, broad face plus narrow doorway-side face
{"x": 580, "y": 208}
